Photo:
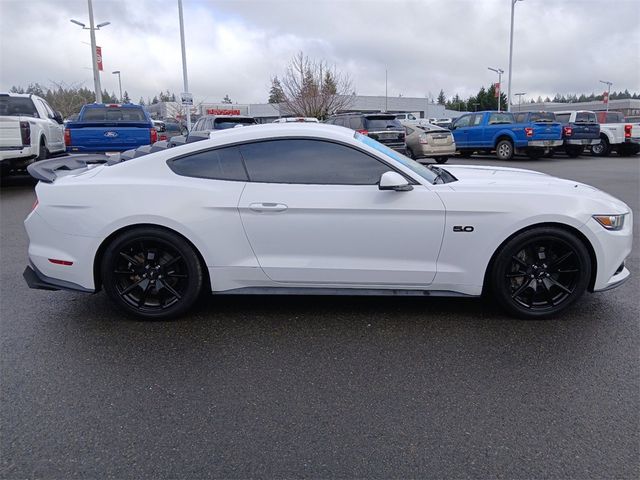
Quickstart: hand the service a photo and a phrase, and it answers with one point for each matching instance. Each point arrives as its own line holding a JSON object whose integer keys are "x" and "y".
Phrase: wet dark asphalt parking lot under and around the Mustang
{"x": 320, "y": 387}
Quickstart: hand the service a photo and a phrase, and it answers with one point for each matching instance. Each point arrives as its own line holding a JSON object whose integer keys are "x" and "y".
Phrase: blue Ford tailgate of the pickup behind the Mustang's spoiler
{"x": 105, "y": 138}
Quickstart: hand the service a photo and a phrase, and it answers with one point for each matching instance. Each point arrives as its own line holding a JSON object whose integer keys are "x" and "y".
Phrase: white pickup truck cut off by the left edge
{"x": 30, "y": 130}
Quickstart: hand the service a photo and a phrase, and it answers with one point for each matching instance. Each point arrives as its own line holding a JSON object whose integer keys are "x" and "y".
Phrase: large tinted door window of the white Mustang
{"x": 310, "y": 161}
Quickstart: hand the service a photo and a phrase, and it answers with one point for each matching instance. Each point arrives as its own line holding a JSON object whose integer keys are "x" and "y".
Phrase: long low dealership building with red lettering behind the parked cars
{"x": 267, "y": 112}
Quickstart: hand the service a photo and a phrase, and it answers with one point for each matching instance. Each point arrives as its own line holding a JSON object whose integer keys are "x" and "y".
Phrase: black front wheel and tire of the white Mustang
{"x": 540, "y": 272}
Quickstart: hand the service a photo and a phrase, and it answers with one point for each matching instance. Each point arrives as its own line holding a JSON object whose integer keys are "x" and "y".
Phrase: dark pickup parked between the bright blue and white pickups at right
{"x": 580, "y": 128}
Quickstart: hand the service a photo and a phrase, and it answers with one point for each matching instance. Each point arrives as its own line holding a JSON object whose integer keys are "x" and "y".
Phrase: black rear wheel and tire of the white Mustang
{"x": 151, "y": 273}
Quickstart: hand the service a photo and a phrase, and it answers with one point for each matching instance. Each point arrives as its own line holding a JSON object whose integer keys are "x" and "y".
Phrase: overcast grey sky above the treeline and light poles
{"x": 235, "y": 46}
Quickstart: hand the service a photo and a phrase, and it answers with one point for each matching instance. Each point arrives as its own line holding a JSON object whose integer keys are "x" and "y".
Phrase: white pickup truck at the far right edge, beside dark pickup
{"x": 617, "y": 134}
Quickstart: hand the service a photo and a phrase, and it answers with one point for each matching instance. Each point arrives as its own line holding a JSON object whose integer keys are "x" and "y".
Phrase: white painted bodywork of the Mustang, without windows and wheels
{"x": 328, "y": 236}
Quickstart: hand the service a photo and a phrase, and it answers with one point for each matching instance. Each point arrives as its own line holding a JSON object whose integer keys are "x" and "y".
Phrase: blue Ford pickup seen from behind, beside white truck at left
{"x": 109, "y": 128}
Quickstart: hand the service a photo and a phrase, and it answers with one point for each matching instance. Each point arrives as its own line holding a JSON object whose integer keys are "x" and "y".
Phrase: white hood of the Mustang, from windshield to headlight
{"x": 495, "y": 179}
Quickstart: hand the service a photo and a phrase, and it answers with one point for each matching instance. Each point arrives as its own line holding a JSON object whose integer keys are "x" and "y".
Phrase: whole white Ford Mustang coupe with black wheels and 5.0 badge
{"x": 317, "y": 209}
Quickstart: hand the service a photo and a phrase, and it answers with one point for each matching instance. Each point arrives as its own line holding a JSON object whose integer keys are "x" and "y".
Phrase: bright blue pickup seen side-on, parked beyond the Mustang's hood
{"x": 498, "y": 131}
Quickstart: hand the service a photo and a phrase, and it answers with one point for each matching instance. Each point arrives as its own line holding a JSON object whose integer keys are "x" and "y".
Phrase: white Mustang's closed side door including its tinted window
{"x": 314, "y": 215}
